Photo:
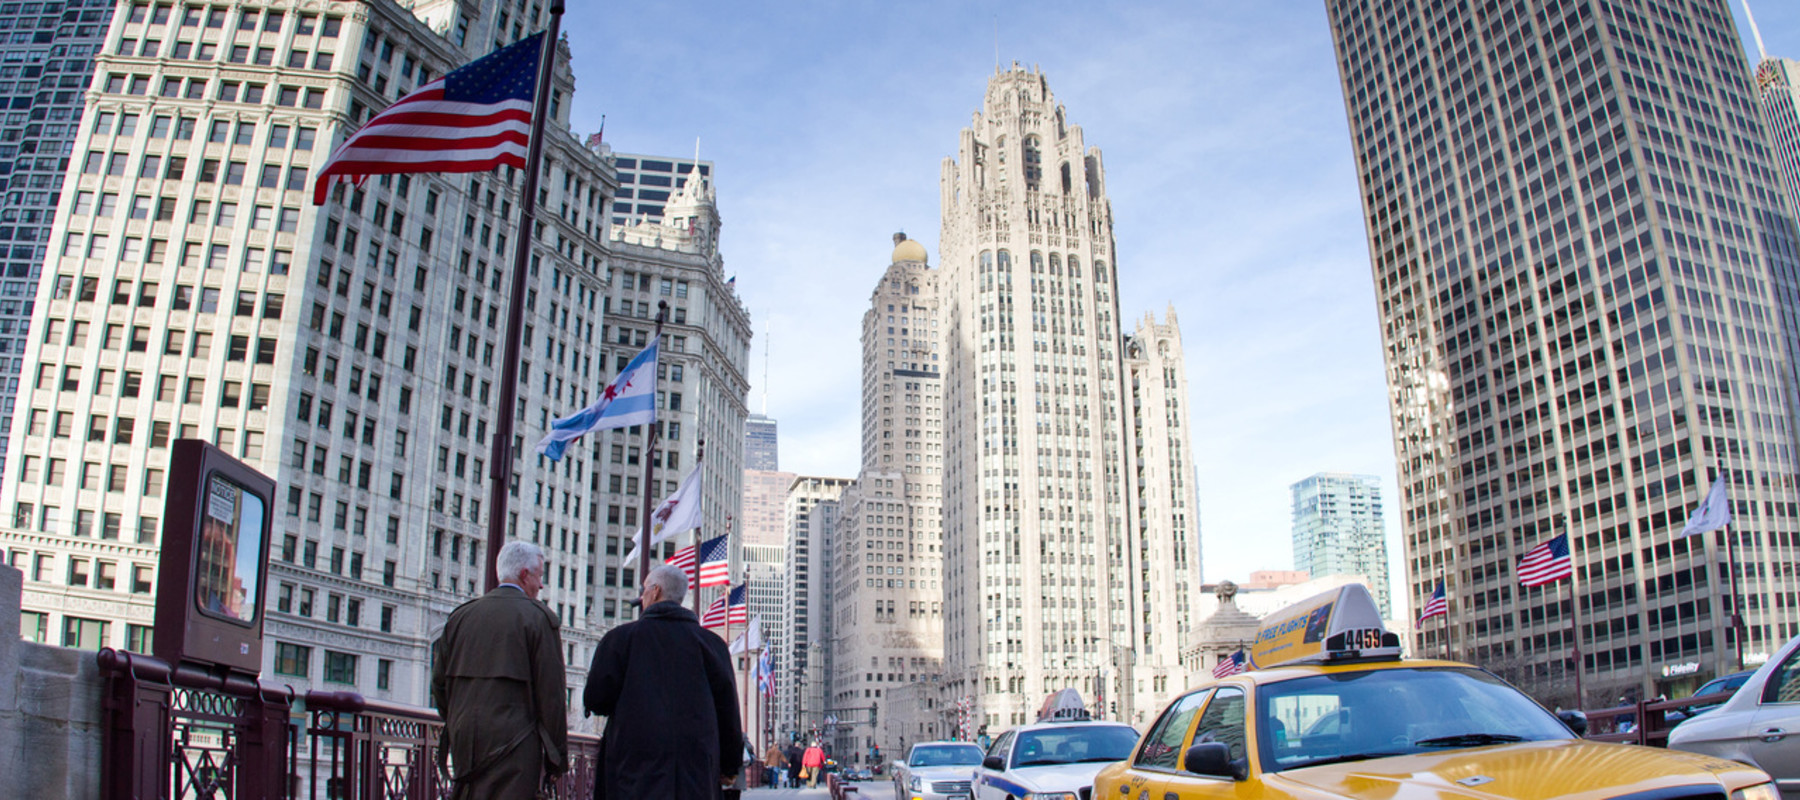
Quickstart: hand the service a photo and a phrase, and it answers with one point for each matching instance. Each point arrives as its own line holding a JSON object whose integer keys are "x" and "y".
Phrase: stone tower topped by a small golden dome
{"x": 888, "y": 558}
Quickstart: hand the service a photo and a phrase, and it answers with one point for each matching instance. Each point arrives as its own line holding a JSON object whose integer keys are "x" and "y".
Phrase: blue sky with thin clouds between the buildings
{"x": 1228, "y": 167}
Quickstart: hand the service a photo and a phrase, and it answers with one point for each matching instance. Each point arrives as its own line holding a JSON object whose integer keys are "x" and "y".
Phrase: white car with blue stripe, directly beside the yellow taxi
{"x": 1052, "y": 761}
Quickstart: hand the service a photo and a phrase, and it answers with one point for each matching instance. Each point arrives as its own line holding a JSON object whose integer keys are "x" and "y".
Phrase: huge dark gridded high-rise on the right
{"x": 1587, "y": 287}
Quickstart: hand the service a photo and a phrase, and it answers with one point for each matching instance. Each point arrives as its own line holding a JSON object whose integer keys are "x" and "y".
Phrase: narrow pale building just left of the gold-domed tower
{"x": 813, "y": 514}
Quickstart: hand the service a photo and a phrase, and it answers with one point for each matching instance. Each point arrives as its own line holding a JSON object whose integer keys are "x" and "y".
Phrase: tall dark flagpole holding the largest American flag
{"x": 501, "y": 455}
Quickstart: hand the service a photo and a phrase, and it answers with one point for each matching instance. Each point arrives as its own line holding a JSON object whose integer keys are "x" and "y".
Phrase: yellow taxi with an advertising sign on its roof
{"x": 1327, "y": 709}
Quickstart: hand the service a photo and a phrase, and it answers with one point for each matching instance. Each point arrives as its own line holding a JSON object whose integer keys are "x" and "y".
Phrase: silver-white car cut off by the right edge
{"x": 1759, "y": 725}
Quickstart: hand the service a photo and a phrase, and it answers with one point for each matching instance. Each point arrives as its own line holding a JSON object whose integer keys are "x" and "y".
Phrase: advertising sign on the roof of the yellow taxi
{"x": 1336, "y": 626}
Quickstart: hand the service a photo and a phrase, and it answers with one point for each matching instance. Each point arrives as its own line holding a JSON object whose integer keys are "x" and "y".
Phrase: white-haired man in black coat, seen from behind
{"x": 670, "y": 702}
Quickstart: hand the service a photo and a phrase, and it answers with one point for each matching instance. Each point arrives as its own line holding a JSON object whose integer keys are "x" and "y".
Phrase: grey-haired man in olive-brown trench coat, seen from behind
{"x": 498, "y": 680}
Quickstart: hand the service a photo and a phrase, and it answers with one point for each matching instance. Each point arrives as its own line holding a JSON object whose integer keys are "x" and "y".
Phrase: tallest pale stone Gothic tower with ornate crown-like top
{"x": 1045, "y": 558}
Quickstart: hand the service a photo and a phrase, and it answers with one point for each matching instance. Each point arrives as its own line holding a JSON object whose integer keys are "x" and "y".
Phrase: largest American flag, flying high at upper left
{"x": 467, "y": 122}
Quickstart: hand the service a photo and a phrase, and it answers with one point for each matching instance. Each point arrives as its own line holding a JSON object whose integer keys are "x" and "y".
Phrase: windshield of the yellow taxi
{"x": 1353, "y": 716}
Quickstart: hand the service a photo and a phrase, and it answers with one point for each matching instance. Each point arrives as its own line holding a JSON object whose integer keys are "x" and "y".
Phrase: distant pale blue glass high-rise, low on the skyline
{"x": 1340, "y": 531}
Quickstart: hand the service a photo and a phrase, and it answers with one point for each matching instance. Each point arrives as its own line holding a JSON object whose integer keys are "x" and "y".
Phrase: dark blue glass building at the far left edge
{"x": 46, "y": 64}
